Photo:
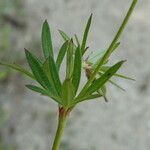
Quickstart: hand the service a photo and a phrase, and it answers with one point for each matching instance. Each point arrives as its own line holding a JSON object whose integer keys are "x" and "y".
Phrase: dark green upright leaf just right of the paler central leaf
{"x": 77, "y": 69}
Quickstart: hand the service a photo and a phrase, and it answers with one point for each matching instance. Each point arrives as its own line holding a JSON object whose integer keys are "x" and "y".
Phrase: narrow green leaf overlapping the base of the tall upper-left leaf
{"x": 54, "y": 75}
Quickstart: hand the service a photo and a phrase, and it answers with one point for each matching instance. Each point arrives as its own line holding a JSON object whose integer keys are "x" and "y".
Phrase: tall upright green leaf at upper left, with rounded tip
{"x": 47, "y": 40}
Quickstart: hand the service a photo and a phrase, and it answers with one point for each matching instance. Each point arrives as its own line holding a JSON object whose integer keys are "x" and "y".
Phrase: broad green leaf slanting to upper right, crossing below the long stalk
{"x": 98, "y": 83}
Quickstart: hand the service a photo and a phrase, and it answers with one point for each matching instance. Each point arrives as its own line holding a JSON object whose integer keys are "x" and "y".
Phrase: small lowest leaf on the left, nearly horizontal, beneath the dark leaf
{"x": 44, "y": 92}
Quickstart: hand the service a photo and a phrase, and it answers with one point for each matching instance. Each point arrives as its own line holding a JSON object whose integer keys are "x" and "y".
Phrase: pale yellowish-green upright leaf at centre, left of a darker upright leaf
{"x": 69, "y": 66}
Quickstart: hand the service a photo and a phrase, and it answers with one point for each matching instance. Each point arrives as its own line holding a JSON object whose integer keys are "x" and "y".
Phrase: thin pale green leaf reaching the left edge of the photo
{"x": 18, "y": 68}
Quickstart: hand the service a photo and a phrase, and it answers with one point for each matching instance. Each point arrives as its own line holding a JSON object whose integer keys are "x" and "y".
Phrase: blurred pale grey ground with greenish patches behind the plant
{"x": 28, "y": 120}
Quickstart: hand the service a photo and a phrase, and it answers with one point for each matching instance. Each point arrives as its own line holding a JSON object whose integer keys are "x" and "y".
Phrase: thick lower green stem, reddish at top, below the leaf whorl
{"x": 60, "y": 129}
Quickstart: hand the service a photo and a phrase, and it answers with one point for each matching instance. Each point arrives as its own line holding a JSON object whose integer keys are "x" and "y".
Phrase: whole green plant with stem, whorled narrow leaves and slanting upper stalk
{"x": 67, "y": 94}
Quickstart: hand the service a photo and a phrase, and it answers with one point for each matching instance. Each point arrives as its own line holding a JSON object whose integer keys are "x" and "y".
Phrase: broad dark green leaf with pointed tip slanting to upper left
{"x": 38, "y": 71}
